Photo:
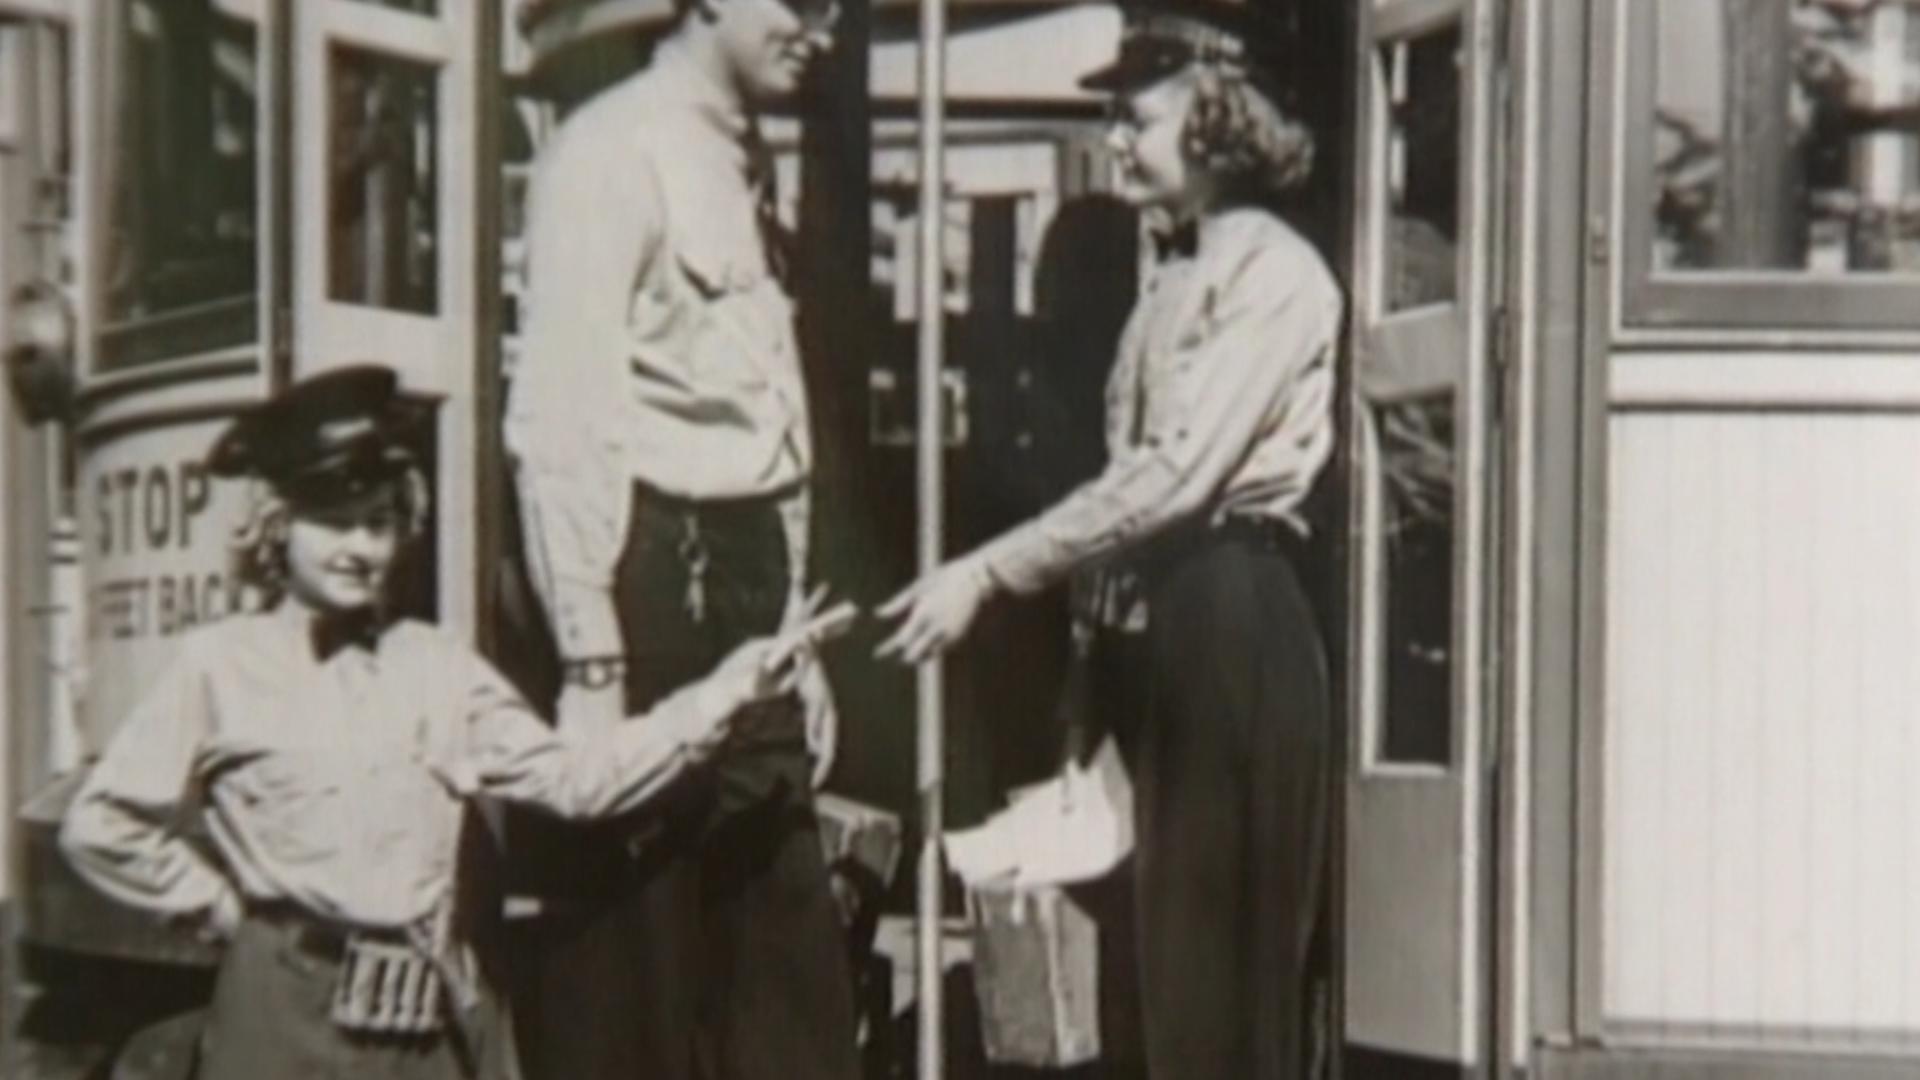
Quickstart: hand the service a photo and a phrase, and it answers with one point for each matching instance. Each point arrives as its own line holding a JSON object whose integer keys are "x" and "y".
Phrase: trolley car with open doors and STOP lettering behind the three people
{"x": 1627, "y": 576}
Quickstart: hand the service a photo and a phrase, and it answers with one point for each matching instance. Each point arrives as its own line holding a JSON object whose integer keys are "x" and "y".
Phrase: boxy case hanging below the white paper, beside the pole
{"x": 1036, "y": 973}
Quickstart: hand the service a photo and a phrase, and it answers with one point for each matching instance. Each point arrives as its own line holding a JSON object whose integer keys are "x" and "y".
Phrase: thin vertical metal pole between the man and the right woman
{"x": 932, "y": 445}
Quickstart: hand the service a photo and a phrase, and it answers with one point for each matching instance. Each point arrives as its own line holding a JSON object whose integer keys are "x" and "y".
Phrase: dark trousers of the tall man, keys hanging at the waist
{"x": 713, "y": 950}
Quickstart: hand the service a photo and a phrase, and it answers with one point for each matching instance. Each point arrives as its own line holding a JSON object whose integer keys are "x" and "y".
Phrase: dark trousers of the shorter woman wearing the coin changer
{"x": 270, "y": 1018}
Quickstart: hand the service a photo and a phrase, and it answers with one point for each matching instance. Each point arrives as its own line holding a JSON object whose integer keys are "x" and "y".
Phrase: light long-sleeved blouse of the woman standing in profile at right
{"x": 1220, "y": 405}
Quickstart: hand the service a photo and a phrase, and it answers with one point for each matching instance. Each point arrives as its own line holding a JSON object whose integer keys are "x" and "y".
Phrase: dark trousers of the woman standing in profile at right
{"x": 1232, "y": 760}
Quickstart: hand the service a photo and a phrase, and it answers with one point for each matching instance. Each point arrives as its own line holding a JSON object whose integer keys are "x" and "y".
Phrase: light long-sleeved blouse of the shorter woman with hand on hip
{"x": 331, "y": 783}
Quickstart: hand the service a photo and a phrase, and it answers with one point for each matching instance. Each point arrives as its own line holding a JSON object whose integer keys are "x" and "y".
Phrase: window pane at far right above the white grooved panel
{"x": 1785, "y": 137}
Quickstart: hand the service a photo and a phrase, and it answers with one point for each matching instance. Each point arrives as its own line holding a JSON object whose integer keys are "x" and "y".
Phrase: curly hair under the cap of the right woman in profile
{"x": 1237, "y": 132}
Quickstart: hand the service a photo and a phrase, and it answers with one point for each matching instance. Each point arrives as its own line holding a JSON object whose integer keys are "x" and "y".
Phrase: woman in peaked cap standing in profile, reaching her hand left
{"x": 1191, "y": 547}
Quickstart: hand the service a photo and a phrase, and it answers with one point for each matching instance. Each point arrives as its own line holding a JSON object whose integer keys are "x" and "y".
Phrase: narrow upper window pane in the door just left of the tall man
{"x": 383, "y": 203}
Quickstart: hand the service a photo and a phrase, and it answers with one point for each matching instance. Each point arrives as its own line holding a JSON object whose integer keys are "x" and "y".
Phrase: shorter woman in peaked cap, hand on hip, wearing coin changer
{"x": 333, "y": 752}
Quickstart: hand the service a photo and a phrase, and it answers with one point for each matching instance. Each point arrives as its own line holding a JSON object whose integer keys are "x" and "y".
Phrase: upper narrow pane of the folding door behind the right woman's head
{"x": 1422, "y": 82}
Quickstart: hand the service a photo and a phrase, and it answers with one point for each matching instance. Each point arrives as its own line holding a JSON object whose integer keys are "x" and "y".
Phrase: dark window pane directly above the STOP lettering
{"x": 183, "y": 222}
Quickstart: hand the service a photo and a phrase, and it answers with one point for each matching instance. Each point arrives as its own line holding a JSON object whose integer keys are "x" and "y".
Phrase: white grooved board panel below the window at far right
{"x": 1762, "y": 858}
